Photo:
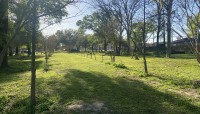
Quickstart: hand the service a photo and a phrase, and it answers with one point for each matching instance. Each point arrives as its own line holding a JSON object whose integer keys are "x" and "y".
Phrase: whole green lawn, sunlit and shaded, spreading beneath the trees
{"x": 76, "y": 83}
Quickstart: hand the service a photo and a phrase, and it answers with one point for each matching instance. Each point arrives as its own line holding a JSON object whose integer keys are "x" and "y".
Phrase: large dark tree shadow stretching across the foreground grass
{"x": 120, "y": 94}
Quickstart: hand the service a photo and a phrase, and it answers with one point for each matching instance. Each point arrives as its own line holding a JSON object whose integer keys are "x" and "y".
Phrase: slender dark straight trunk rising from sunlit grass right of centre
{"x": 144, "y": 42}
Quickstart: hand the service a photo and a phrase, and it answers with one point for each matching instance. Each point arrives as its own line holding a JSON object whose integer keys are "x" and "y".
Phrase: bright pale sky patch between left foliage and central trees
{"x": 76, "y": 12}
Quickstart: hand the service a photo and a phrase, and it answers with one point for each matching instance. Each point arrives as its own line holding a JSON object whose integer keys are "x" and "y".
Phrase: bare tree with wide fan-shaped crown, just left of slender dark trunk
{"x": 124, "y": 11}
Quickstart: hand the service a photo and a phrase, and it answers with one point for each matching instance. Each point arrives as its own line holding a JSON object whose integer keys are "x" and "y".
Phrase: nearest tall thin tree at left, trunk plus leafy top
{"x": 54, "y": 10}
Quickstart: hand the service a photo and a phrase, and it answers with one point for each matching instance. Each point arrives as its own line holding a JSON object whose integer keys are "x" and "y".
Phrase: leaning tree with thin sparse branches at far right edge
{"x": 188, "y": 21}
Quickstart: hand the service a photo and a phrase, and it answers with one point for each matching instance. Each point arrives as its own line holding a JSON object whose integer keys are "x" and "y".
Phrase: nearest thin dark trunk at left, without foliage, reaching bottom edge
{"x": 33, "y": 69}
